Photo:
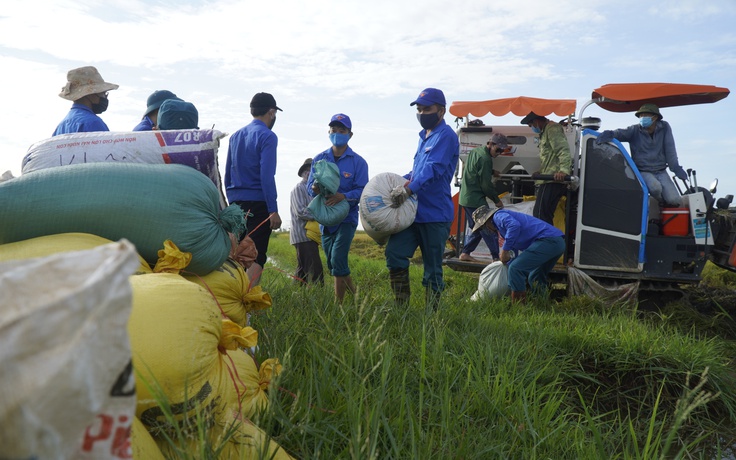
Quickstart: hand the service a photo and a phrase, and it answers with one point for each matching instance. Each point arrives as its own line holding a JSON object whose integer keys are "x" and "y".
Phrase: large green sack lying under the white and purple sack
{"x": 146, "y": 204}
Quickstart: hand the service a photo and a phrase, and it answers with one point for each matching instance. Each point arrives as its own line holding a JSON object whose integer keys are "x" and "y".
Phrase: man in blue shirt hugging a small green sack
{"x": 336, "y": 240}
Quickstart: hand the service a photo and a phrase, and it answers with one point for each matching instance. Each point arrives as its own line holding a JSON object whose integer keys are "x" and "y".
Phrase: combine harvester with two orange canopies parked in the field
{"x": 615, "y": 233}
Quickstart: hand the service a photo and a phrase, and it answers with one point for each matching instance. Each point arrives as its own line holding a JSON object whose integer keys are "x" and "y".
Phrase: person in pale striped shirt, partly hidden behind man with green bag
{"x": 308, "y": 263}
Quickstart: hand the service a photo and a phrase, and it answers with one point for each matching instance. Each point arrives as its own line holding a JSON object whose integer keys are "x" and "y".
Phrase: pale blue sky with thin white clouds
{"x": 368, "y": 60}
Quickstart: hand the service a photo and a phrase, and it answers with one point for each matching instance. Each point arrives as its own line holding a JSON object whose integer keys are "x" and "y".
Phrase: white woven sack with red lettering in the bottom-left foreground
{"x": 67, "y": 388}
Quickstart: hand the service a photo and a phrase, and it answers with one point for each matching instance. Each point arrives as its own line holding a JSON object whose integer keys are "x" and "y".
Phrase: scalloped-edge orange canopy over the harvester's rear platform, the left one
{"x": 520, "y": 106}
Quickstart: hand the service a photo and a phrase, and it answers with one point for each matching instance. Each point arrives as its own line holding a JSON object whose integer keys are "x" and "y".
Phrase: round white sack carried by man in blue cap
{"x": 378, "y": 218}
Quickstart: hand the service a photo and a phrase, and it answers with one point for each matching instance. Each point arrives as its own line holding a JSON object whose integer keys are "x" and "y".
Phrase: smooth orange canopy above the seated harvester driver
{"x": 628, "y": 97}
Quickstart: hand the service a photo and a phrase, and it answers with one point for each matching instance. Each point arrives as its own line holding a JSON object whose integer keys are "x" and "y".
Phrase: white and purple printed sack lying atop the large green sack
{"x": 196, "y": 148}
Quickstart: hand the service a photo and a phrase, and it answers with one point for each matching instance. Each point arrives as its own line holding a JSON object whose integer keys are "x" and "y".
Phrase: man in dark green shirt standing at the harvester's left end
{"x": 476, "y": 186}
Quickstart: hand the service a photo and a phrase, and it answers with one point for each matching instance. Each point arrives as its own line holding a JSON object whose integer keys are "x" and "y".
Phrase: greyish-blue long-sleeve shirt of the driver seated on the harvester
{"x": 651, "y": 152}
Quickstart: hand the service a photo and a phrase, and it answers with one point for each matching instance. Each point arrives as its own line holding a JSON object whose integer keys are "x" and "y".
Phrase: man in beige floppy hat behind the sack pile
{"x": 86, "y": 88}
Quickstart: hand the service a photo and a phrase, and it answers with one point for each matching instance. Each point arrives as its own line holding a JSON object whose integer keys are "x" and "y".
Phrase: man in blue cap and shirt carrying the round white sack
{"x": 434, "y": 164}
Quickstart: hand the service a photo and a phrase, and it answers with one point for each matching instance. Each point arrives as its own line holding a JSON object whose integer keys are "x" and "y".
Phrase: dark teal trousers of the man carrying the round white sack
{"x": 431, "y": 239}
